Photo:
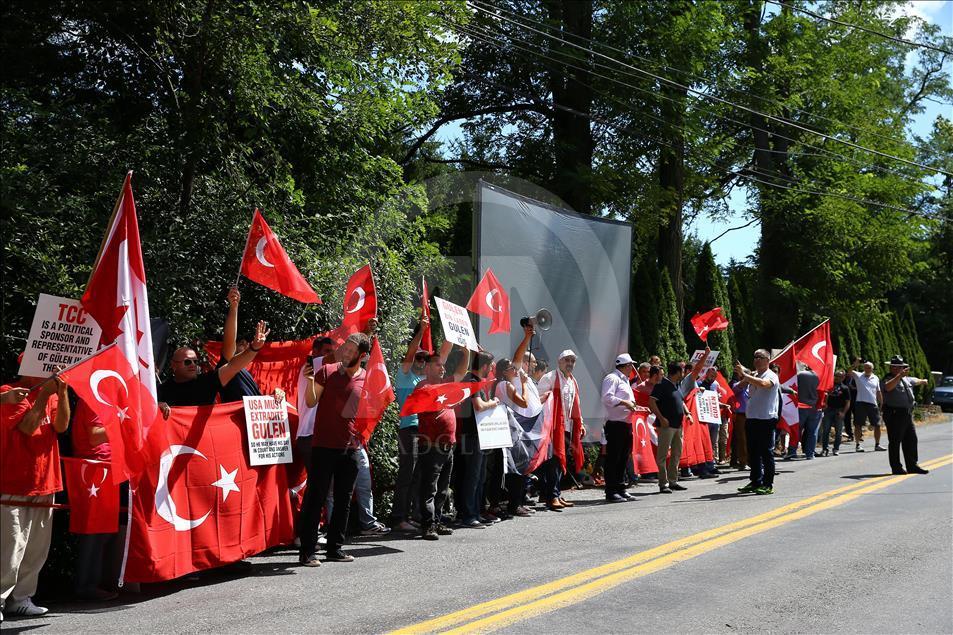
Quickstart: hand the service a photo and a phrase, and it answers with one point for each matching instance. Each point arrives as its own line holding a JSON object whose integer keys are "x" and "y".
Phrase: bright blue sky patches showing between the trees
{"x": 740, "y": 243}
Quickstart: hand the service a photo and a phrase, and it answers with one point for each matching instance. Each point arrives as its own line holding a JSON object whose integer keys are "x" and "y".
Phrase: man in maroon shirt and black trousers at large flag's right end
{"x": 336, "y": 391}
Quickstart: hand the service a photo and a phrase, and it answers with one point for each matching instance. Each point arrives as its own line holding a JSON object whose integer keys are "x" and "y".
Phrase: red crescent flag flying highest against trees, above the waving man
{"x": 266, "y": 262}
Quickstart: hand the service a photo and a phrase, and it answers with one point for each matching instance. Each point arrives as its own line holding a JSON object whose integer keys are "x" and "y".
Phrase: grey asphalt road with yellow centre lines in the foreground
{"x": 839, "y": 547}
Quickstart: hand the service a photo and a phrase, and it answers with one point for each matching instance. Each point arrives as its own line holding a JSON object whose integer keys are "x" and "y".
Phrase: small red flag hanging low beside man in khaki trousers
{"x": 93, "y": 497}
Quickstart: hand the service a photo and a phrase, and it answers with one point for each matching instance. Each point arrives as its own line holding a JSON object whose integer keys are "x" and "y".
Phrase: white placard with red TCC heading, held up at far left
{"x": 62, "y": 334}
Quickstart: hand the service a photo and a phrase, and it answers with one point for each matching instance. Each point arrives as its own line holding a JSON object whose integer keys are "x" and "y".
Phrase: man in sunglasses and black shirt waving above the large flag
{"x": 189, "y": 387}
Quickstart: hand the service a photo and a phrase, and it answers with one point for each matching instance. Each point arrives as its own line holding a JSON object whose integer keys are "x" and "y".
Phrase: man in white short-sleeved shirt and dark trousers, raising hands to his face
{"x": 762, "y": 418}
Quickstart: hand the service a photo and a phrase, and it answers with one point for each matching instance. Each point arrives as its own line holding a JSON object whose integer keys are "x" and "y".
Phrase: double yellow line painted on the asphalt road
{"x": 572, "y": 589}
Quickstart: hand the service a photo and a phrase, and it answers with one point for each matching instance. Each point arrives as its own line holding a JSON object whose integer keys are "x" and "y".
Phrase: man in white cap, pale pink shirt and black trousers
{"x": 619, "y": 402}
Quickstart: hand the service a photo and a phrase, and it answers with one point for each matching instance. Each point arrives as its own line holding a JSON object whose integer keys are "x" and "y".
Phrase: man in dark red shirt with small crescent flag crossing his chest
{"x": 436, "y": 434}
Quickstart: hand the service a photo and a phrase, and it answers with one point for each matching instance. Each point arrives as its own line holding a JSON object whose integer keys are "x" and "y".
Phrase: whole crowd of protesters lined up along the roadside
{"x": 445, "y": 481}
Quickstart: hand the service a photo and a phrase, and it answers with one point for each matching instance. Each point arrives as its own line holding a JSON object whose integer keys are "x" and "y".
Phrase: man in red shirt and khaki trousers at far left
{"x": 29, "y": 477}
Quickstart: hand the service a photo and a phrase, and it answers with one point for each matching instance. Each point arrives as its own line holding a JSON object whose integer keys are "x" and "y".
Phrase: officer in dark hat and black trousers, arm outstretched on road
{"x": 898, "y": 416}
